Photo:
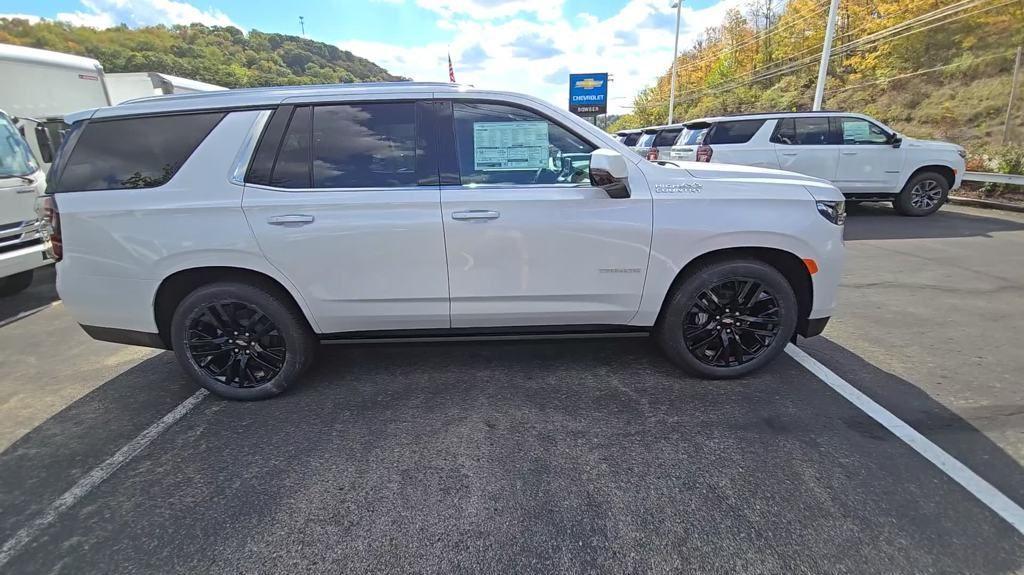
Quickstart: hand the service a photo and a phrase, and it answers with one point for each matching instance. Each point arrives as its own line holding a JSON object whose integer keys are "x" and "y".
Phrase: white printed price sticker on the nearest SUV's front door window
{"x": 510, "y": 146}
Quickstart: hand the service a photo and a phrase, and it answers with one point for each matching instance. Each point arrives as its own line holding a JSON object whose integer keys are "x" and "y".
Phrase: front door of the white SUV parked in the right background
{"x": 868, "y": 162}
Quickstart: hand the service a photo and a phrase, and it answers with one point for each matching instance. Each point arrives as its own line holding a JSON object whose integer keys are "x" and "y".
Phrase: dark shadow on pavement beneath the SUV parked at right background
{"x": 877, "y": 222}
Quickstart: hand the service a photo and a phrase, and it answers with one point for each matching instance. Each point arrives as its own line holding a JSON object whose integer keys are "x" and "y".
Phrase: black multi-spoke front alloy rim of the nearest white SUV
{"x": 733, "y": 323}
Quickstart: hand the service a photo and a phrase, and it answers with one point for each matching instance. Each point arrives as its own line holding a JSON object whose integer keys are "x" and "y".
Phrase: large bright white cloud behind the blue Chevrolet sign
{"x": 535, "y": 57}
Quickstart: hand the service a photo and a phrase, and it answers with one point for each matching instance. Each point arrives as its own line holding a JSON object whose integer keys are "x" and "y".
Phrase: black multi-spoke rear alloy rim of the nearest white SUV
{"x": 236, "y": 344}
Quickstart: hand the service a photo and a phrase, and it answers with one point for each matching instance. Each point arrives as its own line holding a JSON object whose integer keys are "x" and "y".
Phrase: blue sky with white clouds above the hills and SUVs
{"x": 526, "y": 47}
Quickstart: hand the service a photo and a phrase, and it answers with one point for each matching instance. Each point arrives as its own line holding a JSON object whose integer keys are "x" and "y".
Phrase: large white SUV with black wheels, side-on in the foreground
{"x": 240, "y": 228}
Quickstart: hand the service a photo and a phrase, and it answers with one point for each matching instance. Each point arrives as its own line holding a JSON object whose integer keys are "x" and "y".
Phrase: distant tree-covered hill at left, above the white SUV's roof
{"x": 223, "y": 56}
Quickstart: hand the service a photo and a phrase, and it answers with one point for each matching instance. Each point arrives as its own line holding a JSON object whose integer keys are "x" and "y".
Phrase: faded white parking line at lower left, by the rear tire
{"x": 97, "y": 476}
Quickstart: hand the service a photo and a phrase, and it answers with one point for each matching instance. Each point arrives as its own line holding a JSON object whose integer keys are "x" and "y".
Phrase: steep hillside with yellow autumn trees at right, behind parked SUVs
{"x": 929, "y": 69}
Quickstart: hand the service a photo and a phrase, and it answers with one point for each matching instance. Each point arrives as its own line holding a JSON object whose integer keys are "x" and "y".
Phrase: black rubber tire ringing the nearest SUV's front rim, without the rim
{"x": 670, "y": 330}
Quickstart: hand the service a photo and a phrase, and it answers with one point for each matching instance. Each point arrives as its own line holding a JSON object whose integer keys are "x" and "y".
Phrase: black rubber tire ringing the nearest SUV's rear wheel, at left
{"x": 297, "y": 339}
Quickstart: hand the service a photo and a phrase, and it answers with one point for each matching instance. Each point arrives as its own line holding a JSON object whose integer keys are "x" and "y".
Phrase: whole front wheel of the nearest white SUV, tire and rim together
{"x": 685, "y": 327}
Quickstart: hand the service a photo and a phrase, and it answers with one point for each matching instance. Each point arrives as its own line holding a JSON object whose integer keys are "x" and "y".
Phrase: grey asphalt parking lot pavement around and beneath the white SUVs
{"x": 568, "y": 457}
